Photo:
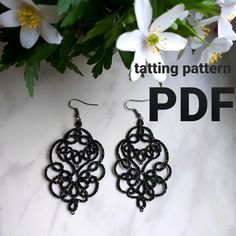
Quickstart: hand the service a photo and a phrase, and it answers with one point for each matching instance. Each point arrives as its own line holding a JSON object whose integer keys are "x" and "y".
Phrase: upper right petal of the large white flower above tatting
{"x": 164, "y": 21}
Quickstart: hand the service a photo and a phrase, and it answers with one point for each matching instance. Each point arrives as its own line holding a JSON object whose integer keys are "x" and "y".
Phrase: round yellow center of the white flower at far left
{"x": 29, "y": 19}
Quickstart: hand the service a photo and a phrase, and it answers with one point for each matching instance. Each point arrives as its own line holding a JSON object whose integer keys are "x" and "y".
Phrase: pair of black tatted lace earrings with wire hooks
{"x": 76, "y": 168}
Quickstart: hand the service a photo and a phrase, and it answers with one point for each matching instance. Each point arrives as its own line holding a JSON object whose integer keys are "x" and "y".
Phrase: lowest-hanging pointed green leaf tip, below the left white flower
{"x": 30, "y": 76}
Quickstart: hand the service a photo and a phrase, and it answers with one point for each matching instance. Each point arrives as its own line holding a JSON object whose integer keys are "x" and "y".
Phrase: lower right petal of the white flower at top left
{"x": 49, "y": 33}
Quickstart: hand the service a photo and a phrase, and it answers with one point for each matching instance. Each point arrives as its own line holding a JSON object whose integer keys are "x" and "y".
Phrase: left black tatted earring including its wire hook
{"x": 75, "y": 167}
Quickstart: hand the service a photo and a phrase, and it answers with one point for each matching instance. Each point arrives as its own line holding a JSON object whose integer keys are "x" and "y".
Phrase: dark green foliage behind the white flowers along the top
{"x": 89, "y": 28}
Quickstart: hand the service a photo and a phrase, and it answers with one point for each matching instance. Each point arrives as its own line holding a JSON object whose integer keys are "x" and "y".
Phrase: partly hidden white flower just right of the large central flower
{"x": 202, "y": 30}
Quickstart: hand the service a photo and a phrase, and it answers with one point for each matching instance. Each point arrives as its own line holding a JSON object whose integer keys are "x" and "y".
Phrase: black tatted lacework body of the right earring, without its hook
{"x": 138, "y": 169}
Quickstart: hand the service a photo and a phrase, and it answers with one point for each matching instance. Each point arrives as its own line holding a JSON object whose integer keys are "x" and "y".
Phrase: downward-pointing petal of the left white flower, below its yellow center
{"x": 28, "y": 38}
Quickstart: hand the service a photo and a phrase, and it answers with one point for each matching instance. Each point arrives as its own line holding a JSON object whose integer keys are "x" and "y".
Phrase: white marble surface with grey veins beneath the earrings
{"x": 201, "y": 198}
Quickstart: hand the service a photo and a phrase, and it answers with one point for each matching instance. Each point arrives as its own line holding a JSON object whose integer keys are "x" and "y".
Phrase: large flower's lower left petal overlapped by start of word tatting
{"x": 140, "y": 60}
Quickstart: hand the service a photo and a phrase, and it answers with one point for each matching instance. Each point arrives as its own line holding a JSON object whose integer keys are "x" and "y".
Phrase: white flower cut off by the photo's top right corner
{"x": 228, "y": 13}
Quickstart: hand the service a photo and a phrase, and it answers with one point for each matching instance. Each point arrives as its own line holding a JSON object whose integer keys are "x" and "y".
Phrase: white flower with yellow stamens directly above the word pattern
{"x": 212, "y": 53}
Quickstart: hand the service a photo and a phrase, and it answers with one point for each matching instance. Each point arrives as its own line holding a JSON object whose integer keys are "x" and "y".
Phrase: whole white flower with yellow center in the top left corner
{"x": 34, "y": 21}
